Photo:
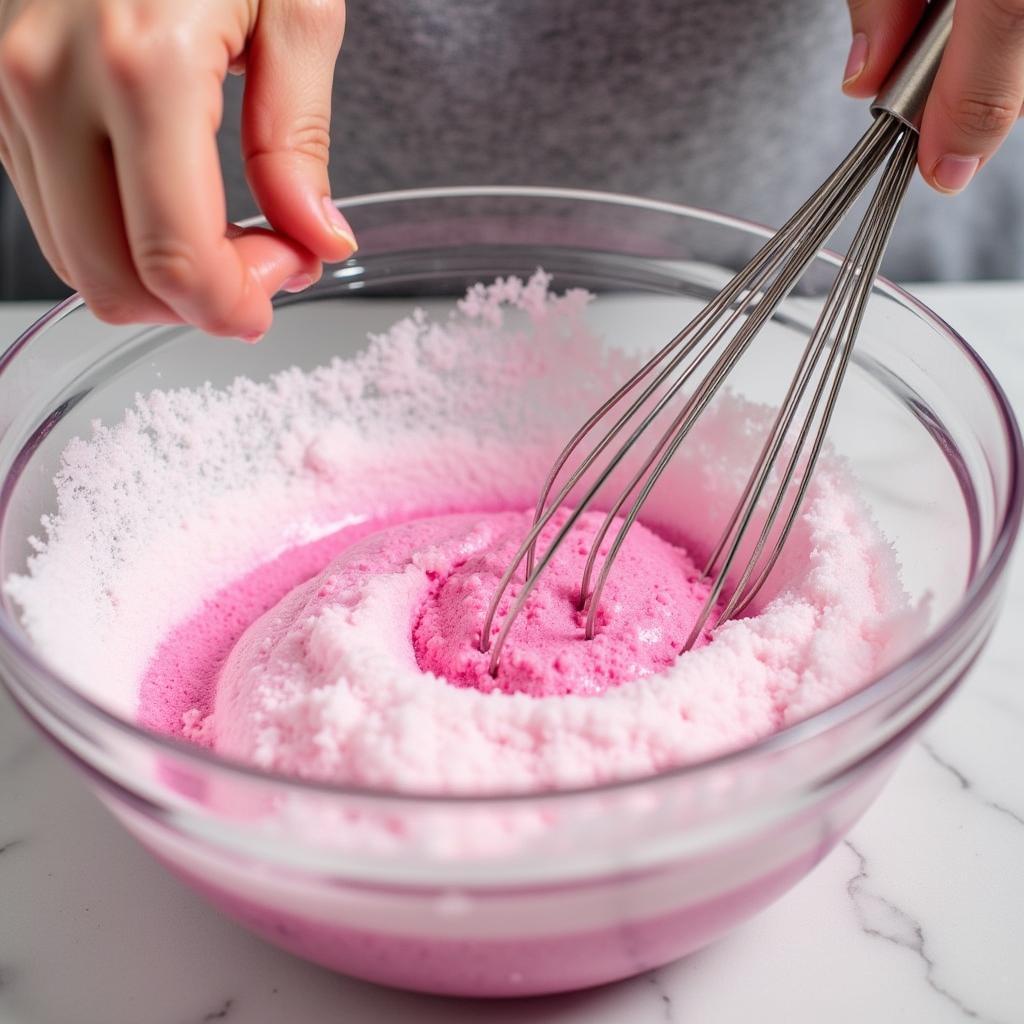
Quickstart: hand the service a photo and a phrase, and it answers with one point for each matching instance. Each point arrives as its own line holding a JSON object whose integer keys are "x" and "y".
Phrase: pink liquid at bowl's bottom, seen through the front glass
{"x": 466, "y": 958}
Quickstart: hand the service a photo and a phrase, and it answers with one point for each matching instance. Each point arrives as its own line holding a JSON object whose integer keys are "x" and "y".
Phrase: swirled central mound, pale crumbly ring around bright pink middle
{"x": 330, "y": 684}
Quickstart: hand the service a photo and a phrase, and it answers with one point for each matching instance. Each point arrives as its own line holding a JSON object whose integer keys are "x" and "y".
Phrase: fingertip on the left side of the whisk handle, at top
{"x": 881, "y": 29}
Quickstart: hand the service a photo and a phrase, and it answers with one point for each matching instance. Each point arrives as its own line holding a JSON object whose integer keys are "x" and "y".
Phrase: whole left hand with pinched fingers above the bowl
{"x": 109, "y": 114}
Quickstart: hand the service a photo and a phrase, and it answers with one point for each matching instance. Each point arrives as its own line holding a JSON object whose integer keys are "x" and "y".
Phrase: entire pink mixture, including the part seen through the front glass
{"x": 524, "y": 898}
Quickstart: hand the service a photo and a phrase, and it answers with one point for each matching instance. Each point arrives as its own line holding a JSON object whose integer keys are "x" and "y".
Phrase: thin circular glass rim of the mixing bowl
{"x": 874, "y": 692}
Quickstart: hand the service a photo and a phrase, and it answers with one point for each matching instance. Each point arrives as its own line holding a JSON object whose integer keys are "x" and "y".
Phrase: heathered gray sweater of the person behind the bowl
{"x": 733, "y": 105}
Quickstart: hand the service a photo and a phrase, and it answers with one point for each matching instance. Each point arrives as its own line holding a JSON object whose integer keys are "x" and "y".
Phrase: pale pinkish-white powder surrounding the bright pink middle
{"x": 193, "y": 489}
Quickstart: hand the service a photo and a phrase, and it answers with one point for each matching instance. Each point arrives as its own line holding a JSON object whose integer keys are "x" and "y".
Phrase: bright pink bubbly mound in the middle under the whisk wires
{"x": 649, "y": 607}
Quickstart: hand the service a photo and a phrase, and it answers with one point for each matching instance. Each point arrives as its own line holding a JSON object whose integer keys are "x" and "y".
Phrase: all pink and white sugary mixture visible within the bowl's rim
{"x": 399, "y": 481}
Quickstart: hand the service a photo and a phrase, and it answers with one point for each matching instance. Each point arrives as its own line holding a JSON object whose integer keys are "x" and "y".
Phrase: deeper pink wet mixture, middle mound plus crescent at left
{"x": 648, "y": 611}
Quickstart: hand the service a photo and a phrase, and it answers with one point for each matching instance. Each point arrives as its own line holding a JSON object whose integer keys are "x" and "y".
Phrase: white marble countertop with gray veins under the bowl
{"x": 919, "y": 917}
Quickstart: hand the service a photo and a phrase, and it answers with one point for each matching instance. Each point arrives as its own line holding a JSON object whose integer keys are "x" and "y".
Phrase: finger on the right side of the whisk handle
{"x": 978, "y": 93}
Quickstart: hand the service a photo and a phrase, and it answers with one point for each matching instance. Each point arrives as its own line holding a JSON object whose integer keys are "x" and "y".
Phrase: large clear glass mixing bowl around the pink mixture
{"x": 581, "y": 887}
